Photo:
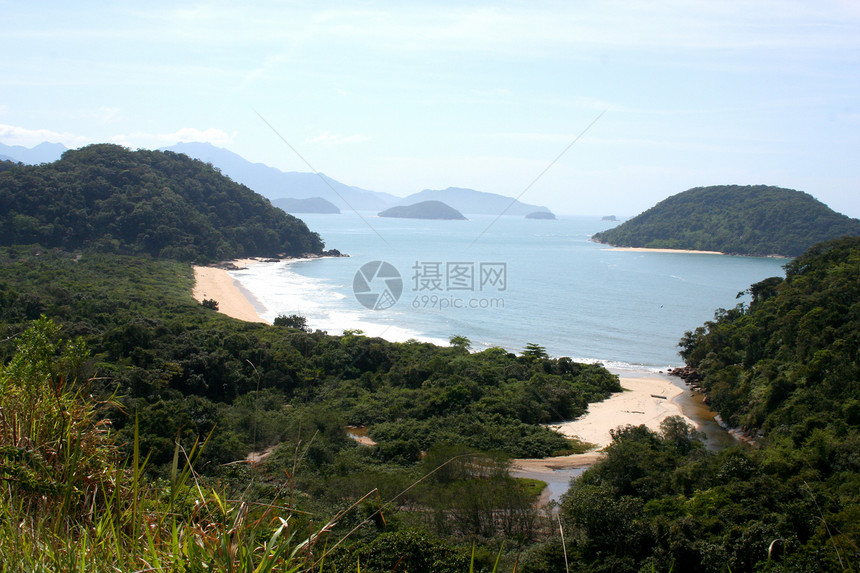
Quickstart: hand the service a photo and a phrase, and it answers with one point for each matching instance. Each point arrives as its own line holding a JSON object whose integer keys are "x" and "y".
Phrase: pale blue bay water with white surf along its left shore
{"x": 574, "y": 297}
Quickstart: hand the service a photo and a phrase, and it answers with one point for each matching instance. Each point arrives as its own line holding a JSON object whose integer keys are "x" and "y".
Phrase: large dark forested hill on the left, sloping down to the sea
{"x": 108, "y": 198}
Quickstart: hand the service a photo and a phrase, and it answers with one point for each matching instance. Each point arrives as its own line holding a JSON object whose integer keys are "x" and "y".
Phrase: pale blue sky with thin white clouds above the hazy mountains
{"x": 587, "y": 107}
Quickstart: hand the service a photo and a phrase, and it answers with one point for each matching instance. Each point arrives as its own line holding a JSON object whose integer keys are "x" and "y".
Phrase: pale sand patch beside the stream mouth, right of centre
{"x": 646, "y": 401}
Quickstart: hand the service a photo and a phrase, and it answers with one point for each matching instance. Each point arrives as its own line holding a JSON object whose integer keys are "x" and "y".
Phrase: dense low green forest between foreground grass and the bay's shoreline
{"x": 167, "y": 372}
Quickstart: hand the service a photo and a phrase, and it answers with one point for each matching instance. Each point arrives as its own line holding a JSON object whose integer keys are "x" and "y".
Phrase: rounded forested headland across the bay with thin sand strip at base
{"x": 747, "y": 220}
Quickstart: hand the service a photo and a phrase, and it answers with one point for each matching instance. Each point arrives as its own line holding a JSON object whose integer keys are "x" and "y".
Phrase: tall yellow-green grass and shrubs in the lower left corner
{"x": 67, "y": 504}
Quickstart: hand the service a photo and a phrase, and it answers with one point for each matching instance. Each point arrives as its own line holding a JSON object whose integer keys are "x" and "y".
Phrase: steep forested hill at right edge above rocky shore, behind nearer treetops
{"x": 788, "y": 363}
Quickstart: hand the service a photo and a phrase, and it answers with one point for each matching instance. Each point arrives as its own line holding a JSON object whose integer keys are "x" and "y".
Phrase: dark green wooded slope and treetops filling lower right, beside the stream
{"x": 786, "y": 369}
